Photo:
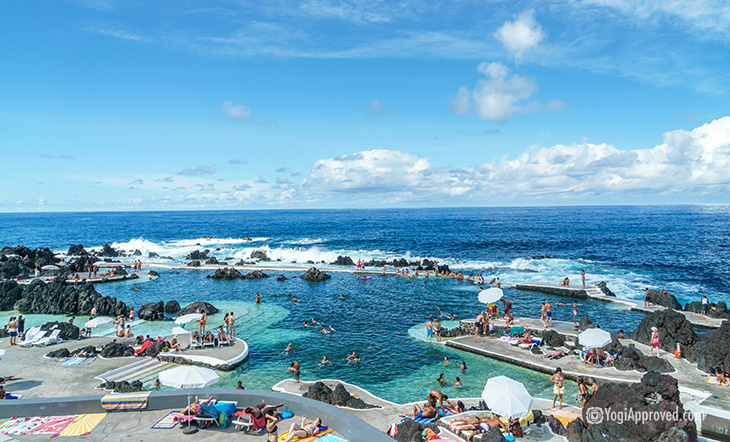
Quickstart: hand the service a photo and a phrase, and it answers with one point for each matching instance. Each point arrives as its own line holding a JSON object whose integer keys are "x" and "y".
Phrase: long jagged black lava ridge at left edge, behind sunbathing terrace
{"x": 57, "y": 298}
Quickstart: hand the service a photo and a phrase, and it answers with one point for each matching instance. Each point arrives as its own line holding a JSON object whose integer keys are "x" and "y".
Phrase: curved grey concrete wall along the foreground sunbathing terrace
{"x": 348, "y": 425}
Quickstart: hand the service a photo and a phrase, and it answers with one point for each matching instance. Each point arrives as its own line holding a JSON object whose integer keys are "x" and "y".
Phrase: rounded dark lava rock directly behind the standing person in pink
{"x": 673, "y": 328}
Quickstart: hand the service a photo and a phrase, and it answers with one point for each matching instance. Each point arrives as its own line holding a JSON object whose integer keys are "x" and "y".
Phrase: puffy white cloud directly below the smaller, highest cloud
{"x": 500, "y": 95}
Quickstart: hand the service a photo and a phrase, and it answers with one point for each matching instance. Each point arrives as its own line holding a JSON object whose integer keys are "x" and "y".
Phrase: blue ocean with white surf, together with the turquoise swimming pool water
{"x": 685, "y": 249}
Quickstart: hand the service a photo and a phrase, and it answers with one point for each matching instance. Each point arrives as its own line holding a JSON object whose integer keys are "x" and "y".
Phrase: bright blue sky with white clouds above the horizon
{"x": 305, "y": 104}
